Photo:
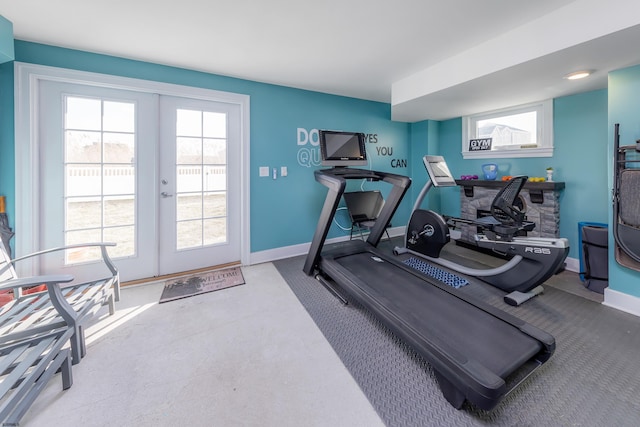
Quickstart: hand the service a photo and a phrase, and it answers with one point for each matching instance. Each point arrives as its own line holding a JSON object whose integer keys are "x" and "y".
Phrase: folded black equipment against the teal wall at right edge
{"x": 626, "y": 203}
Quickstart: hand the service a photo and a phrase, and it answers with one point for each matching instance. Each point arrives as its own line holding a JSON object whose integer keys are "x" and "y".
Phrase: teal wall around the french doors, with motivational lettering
{"x": 284, "y": 212}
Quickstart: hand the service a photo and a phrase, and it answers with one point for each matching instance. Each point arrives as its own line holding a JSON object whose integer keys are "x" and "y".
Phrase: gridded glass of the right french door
{"x": 201, "y": 178}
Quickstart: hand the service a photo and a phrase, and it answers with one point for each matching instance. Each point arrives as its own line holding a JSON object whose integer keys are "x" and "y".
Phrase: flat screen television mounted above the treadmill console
{"x": 341, "y": 149}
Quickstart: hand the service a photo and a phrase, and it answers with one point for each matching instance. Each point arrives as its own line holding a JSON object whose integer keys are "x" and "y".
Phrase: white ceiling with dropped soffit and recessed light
{"x": 431, "y": 59}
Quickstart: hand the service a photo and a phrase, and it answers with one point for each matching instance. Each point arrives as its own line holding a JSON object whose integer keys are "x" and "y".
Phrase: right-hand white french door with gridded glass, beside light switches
{"x": 199, "y": 184}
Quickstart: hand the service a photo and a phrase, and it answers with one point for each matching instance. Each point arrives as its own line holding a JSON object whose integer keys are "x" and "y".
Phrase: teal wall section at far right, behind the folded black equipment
{"x": 624, "y": 108}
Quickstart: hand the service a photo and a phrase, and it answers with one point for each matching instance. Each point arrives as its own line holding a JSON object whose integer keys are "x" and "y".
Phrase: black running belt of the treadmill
{"x": 441, "y": 318}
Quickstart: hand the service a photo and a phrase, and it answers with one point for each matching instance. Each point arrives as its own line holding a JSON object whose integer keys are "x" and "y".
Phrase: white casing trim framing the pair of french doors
{"x": 26, "y": 92}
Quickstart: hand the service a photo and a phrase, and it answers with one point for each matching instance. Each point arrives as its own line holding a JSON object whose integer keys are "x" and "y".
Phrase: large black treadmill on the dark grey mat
{"x": 478, "y": 352}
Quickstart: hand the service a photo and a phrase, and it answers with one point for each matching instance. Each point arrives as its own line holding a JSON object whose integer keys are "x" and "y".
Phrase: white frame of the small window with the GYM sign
{"x": 544, "y": 110}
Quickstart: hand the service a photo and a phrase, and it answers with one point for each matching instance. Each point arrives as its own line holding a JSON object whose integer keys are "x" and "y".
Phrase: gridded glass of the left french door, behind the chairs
{"x": 100, "y": 175}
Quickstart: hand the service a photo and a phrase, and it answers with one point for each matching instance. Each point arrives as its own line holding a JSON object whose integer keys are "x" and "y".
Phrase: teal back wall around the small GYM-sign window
{"x": 579, "y": 159}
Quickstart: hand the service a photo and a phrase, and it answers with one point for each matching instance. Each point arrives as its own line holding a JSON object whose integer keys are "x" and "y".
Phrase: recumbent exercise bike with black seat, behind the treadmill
{"x": 531, "y": 260}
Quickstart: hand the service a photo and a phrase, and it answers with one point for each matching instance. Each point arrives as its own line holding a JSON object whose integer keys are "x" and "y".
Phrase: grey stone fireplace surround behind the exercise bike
{"x": 545, "y": 215}
